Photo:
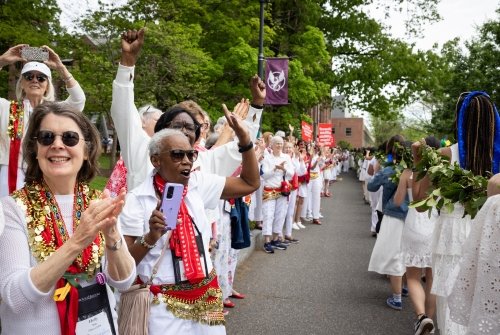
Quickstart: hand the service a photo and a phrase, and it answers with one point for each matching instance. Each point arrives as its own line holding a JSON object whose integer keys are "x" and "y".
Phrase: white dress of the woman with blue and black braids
{"x": 450, "y": 233}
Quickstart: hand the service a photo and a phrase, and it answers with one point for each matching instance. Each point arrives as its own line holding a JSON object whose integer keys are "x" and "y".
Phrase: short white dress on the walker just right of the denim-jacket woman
{"x": 417, "y": 237}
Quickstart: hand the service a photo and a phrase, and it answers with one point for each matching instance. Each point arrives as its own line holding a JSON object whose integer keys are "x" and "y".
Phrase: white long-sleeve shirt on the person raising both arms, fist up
{"x": 134, "y": 141}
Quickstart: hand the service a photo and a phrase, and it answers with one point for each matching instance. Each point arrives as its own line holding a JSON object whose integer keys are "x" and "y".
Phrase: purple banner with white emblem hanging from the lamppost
{"x": 276, "y": 81}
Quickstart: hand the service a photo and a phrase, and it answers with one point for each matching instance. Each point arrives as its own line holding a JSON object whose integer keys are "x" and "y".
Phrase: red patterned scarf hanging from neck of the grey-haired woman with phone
{"x": 183, "y": 240}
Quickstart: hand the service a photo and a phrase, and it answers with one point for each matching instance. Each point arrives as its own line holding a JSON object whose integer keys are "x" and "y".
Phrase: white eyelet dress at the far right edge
{"x": 475, "y": 299}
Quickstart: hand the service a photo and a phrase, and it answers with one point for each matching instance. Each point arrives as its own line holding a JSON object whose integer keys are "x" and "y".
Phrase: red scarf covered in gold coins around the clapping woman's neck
{"x": 47, "y": 231}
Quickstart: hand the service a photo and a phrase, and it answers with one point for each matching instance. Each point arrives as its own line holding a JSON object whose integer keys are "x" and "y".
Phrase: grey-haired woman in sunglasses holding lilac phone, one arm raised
{"x": 186, "y": 296}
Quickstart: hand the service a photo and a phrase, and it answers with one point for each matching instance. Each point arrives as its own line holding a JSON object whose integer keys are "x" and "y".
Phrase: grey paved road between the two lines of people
{"x": 320, "y": 286}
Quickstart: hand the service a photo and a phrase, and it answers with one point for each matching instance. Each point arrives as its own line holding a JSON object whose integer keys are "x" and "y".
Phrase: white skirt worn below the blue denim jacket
{"x": 387, "y": 258}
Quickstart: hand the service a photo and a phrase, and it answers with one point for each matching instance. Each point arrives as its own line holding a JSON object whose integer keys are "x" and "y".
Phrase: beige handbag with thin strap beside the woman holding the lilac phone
{"x": 133, "y": 312}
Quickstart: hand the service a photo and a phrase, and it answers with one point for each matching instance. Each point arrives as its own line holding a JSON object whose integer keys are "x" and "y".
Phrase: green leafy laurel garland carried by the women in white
{"x": 450, "y": 184}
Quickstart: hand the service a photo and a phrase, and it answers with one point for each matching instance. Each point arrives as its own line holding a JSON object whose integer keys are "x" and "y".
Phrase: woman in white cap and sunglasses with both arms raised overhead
{"x": 33, "y": 87}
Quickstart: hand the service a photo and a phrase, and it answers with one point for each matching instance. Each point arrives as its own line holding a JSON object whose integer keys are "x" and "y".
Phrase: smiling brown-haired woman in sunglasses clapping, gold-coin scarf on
{"x": 61, "y": 248}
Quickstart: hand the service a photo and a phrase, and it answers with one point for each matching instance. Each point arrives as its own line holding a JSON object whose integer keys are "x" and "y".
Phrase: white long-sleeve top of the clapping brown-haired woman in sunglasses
{"x": 24, "y": 309}
